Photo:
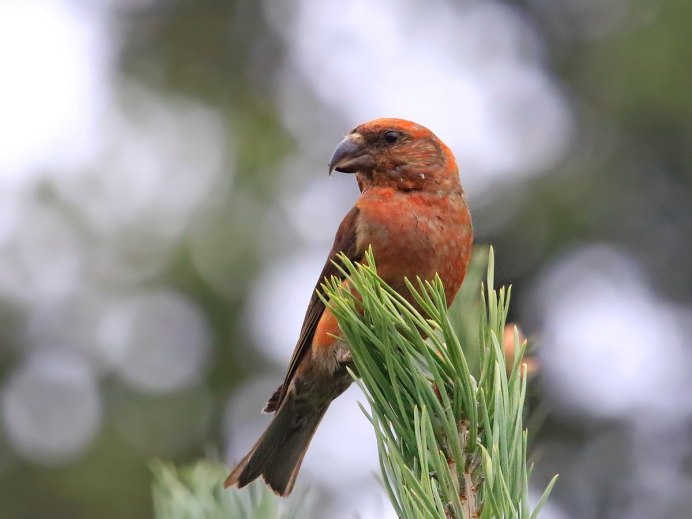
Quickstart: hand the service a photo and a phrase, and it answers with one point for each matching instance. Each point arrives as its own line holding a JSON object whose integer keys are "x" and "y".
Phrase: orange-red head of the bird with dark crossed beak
{"x": 396, "y": 153}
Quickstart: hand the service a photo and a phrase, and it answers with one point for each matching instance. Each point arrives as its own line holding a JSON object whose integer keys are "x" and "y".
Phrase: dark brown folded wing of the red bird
{"x": 344, "y": 242}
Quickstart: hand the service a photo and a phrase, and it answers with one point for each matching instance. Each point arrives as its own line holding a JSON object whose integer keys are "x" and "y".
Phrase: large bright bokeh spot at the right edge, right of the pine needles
{"x": 609, "y": 346}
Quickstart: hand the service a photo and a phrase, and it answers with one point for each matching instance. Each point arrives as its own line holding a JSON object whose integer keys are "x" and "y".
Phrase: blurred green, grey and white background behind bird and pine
{"x": 165, "y": 210}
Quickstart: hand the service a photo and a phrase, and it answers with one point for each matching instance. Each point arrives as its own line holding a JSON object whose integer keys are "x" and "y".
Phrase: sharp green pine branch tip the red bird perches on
{"x": 452, "y": 444}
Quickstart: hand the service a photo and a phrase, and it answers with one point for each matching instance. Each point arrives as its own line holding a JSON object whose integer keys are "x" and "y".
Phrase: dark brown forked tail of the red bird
{"x": 278, "y": 454}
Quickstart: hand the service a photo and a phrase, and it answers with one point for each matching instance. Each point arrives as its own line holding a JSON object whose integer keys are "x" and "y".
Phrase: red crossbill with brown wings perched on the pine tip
{"x": 413, "y": 213}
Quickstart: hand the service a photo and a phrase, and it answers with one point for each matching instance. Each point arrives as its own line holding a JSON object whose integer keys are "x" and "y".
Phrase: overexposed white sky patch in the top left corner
{"x": 55, "y": 59}
